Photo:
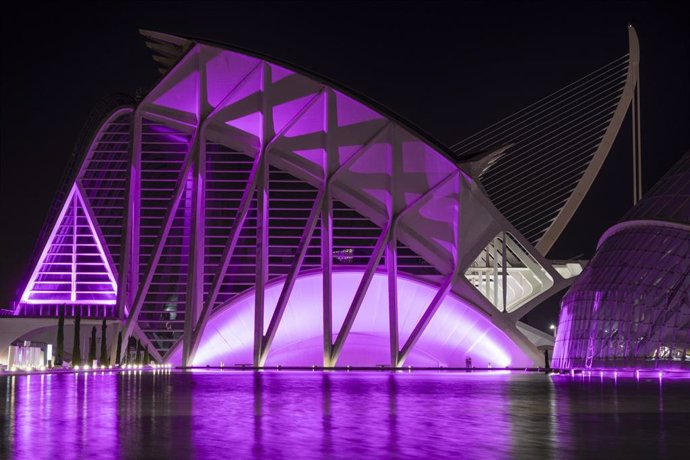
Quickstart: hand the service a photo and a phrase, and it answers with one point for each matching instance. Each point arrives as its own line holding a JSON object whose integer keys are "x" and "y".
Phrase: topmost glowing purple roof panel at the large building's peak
{"x": 224, "y": 72}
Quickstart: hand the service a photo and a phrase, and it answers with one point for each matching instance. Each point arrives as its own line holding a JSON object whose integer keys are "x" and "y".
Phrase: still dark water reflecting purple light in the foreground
{"x": 342, "y": 415}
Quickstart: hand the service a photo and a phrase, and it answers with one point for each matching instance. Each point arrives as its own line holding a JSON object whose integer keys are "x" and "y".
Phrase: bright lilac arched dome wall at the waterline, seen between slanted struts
{"x": 455, "y": 332}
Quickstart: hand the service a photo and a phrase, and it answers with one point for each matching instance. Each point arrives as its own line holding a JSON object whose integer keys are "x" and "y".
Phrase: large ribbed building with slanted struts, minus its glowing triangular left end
{"x": 256, "y": 213}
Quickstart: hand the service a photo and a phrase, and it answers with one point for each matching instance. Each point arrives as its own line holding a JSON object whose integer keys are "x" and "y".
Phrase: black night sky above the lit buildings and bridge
{"x": 451, "y": 68}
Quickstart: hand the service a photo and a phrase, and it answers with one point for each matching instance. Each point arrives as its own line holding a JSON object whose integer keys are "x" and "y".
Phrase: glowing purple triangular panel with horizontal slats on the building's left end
{"x": 73, "y": 267}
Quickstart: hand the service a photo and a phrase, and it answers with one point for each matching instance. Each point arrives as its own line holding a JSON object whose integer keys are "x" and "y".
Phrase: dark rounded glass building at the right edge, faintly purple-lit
{"x": 630, "y": 308}
